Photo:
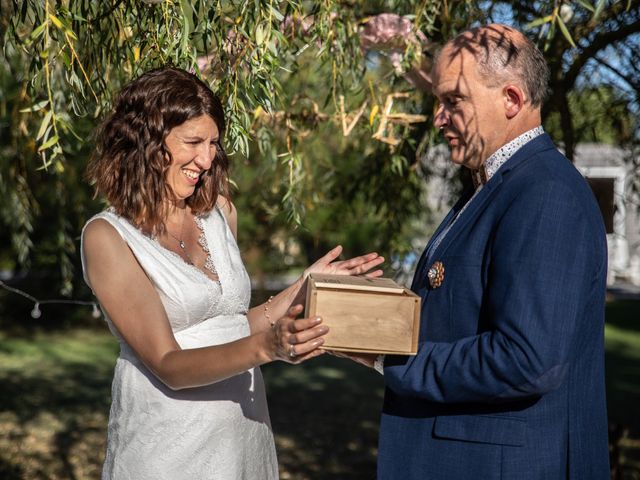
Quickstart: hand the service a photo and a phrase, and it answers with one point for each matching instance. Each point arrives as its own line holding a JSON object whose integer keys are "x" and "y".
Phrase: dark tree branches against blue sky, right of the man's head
{"x": 593, "y": 51}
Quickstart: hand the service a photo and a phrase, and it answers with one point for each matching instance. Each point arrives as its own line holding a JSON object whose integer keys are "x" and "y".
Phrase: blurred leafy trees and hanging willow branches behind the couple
{"x": 329, "y": 115}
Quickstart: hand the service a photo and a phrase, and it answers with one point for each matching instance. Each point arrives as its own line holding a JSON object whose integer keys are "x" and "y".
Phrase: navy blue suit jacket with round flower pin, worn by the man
{"x": 508, "y": 382}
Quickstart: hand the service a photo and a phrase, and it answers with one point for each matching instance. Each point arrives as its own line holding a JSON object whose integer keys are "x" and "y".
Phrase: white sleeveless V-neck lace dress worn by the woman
{"x": 220, "y": 431}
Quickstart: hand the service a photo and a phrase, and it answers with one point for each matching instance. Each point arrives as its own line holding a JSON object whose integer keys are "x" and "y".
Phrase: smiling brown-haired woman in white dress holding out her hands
{"x": 188, "y": 399}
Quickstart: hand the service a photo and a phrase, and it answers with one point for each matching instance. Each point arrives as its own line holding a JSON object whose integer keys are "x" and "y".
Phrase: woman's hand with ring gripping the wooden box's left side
{"x": 295, "y": 341}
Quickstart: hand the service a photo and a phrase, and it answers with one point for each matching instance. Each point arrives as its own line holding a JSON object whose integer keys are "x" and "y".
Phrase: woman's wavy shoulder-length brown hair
{"x": 131, "y": 159}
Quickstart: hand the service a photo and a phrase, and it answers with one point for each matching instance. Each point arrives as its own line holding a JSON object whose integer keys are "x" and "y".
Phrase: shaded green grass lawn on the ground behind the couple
{"x": 55, "y": 388}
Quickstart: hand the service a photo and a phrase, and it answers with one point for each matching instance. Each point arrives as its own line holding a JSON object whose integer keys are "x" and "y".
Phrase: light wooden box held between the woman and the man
{"x": 372, "y": 315}
